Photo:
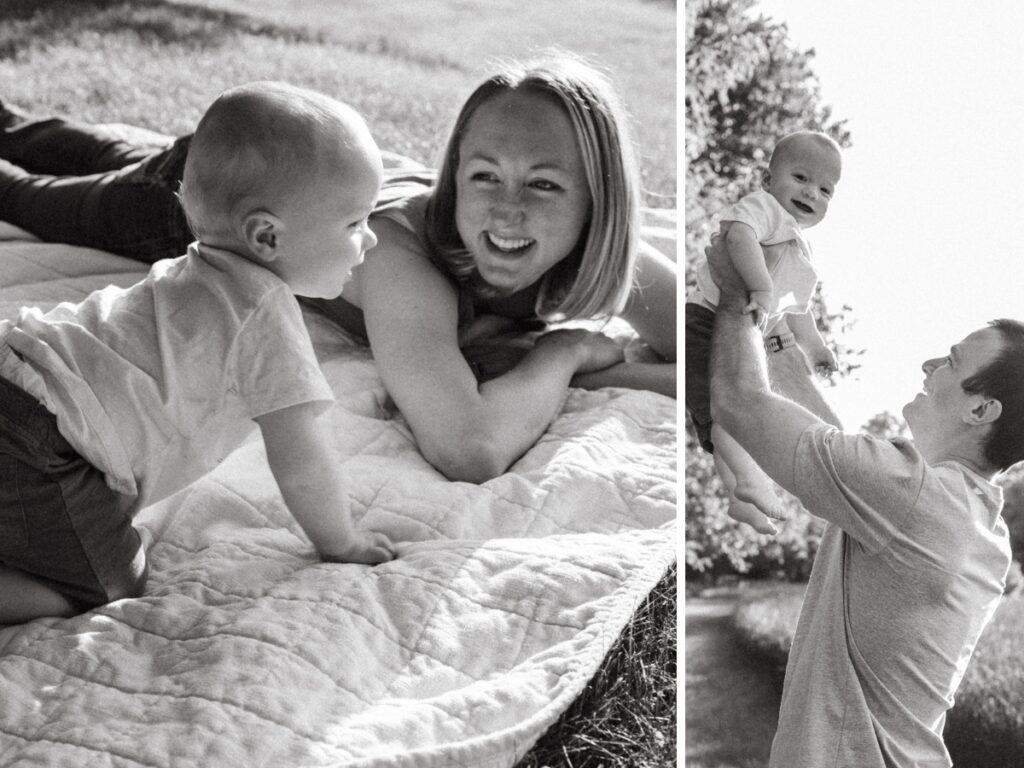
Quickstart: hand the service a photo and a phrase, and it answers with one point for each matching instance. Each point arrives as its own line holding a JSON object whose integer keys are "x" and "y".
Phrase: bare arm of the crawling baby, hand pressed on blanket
{"x": 300, "y": 454}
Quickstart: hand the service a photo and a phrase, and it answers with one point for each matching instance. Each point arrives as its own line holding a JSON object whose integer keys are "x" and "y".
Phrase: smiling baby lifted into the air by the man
{"x": 763, "y": 235}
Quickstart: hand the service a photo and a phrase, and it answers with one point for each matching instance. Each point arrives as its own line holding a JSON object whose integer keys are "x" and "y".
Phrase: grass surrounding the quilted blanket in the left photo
{"x": 408, "y": 68}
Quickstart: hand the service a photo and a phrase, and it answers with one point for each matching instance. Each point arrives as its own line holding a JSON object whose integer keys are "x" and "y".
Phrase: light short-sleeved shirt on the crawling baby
{"x": 156, "y": 385}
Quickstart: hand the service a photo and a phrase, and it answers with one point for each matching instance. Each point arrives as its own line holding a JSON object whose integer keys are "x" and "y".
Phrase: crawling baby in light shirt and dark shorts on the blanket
{"x": 121, "y": 401}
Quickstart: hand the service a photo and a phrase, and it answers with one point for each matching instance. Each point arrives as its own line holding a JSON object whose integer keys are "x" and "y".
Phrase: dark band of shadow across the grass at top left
{"x": 29, "y": 23}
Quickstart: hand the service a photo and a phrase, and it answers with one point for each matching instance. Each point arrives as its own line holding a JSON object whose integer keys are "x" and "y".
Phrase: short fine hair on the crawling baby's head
{"x": 254, "y": 146}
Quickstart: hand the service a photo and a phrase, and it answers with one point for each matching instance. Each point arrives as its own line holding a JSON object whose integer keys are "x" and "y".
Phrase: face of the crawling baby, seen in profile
{"x": 327, "y": 231}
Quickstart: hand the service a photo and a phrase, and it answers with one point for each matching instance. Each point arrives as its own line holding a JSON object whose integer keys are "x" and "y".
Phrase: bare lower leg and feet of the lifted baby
{"x": 753, "y": 498}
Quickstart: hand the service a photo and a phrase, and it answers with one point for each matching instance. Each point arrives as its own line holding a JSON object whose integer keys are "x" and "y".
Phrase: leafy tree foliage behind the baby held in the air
{"x": 747, "y": 87}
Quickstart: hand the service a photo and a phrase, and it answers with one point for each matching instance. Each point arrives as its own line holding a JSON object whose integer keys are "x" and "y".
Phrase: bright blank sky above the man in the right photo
{"x": 924, "y": 238}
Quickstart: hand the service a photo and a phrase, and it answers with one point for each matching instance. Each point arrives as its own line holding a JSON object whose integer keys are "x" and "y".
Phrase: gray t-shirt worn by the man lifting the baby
{"x": 910, "y": 570}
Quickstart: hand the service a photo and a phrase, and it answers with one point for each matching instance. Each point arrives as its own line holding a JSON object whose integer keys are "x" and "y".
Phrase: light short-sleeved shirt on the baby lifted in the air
{"x": 793, "y": 277}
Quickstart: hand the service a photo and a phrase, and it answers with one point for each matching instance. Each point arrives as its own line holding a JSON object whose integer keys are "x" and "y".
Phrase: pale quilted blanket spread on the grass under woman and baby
{"x": 248, "y": 652}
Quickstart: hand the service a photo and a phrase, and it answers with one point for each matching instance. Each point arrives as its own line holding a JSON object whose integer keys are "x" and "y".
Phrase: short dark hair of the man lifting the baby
{"x": 1003, "y": 379}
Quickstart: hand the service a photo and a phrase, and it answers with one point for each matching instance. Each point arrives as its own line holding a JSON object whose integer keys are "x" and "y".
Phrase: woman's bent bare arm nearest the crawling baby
{"x": 470, "y": 433}
